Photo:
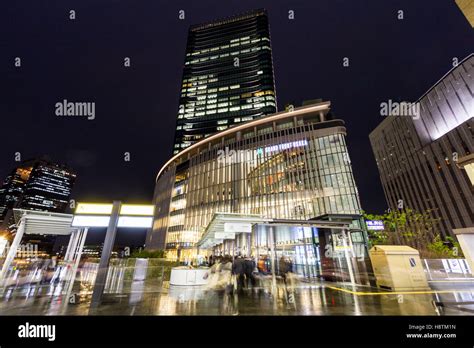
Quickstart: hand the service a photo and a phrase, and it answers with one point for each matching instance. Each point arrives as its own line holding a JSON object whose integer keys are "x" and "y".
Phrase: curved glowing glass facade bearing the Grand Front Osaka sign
{"x": 292, "y": 165}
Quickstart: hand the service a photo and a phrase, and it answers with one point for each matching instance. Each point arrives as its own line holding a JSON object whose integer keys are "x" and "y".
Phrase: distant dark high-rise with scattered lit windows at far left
{"x": 36, "y": 185}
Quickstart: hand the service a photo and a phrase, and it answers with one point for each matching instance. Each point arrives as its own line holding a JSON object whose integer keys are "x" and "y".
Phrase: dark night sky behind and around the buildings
{"x": 136, "y": 107}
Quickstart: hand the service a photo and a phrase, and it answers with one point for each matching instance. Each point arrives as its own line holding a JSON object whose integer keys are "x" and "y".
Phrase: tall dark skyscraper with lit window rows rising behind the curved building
{"x": 227, "y": 77}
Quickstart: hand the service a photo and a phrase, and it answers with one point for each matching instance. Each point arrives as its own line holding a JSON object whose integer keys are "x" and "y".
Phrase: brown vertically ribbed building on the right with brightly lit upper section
{"x": 417, "y": 157}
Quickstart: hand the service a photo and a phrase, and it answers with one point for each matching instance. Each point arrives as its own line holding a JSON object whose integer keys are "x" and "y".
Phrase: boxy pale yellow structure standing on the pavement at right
{"x": 398, "y": 268}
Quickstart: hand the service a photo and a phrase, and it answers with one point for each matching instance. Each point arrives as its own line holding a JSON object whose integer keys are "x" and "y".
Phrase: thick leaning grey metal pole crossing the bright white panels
{"x": 105, "y": 257}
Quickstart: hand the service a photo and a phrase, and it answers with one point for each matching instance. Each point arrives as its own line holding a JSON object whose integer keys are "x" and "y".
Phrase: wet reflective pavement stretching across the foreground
{"x": 300, "y": 298}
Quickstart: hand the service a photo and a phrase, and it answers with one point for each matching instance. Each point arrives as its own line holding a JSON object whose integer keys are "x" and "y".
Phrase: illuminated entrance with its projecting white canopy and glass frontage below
{"x": 333, "y": 248}
